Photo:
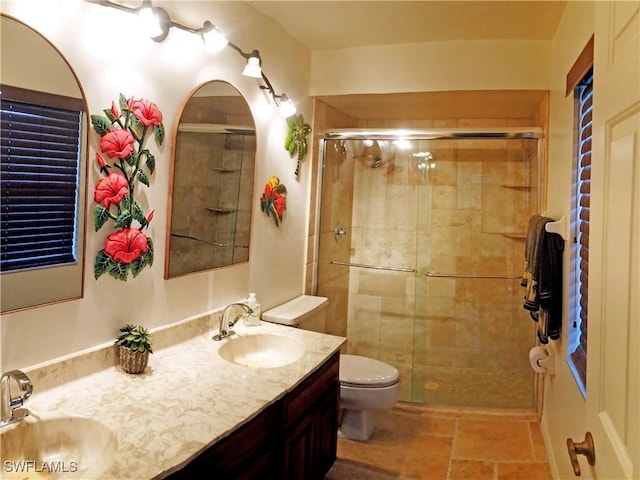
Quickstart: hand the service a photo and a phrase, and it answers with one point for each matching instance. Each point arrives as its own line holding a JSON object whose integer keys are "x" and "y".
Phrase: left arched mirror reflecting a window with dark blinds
{"x": 43, "y": 162}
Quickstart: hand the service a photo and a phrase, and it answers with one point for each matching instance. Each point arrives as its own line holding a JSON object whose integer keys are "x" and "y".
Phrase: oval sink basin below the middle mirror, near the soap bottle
{"x": 262, "y": 350}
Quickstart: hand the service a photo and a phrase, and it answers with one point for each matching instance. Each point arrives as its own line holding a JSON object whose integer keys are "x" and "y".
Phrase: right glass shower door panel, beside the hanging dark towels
{"x": 472, "y": 334}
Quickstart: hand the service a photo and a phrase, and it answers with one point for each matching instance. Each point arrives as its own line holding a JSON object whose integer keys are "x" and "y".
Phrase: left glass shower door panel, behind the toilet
{"x": 369, "y": 194}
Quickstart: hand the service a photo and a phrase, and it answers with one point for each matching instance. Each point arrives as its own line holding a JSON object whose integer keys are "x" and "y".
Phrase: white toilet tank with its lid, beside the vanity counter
{"x": 306, "y": 311}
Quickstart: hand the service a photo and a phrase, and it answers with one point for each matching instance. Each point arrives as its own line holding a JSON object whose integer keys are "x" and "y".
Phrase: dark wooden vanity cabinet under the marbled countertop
{"x": 295, "y": 438}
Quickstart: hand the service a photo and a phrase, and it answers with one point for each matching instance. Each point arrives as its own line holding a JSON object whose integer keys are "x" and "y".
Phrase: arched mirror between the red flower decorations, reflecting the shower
{"x": 212, "y": 182}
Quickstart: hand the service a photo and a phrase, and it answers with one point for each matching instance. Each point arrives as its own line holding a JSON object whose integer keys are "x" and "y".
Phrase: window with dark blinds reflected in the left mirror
{"x": 39, "y": 157}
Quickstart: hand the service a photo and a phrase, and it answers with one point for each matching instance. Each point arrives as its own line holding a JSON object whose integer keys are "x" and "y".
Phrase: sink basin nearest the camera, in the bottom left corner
{"x": 63, "y": 447}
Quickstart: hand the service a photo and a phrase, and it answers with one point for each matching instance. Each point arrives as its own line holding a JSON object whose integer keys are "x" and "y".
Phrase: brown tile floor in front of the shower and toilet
{"x": 412, "y": 442}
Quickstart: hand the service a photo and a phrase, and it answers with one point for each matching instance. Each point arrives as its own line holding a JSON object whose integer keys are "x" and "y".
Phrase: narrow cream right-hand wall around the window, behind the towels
{"x": 564, "y": 406}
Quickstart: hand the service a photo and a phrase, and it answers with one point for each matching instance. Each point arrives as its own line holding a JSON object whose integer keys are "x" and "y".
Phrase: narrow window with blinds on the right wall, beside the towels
{"x": 584, "y": 96}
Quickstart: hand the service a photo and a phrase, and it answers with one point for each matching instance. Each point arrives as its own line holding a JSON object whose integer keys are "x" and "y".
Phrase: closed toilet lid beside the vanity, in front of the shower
{"x": 357, "y": 370}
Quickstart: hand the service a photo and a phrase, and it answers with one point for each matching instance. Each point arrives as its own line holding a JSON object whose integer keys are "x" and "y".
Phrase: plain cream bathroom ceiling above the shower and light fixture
{"x": 325, "y": 25}
